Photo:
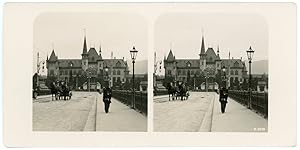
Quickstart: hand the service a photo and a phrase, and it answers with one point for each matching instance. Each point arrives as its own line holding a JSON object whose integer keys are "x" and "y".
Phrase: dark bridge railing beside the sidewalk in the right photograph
{"x": 259, "y": 100}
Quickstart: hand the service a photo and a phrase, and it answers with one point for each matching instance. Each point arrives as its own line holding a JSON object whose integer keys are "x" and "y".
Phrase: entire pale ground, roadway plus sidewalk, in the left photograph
{"x": 85, "y": 112}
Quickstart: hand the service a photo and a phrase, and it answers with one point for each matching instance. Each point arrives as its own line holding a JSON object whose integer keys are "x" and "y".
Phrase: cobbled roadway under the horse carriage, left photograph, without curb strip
{"x": 62, "y": 115}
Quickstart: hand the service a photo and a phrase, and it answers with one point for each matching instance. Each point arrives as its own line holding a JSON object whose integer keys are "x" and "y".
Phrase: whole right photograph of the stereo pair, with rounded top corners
{"x": 210, "y": 73}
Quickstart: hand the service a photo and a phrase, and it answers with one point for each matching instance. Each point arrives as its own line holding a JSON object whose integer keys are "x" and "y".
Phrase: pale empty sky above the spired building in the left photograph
{"x": 117, "y": 33}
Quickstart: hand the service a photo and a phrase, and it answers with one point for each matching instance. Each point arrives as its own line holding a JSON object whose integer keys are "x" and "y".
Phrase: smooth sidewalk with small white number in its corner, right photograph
{"x": 237, "y": 118}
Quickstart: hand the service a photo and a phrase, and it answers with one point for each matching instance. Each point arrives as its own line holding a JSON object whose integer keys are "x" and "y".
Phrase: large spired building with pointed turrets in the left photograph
{"x": 91, "y": 68}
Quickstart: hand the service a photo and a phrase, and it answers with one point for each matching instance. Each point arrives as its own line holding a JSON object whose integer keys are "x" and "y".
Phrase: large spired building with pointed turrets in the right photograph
{"x": 205, "y": 72}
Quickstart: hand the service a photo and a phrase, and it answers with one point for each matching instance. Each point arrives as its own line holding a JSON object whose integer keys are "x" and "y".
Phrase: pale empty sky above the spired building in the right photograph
{"x": 234, "y": 33}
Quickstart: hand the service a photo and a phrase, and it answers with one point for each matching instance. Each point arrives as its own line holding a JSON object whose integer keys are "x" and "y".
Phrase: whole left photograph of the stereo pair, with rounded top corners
{"x": 89, "y": 72}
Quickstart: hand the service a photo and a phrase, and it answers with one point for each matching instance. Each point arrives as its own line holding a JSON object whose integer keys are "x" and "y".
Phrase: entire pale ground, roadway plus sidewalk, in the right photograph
{"x": 201, "y": 113}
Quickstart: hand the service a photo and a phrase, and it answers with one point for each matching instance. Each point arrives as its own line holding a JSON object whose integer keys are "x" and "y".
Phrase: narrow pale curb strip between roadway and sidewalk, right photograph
{"x": 207, "y": 120}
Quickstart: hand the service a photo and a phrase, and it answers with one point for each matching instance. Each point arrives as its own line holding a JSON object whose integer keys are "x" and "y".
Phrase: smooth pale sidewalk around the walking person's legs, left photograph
{"x": 120, "y": 118}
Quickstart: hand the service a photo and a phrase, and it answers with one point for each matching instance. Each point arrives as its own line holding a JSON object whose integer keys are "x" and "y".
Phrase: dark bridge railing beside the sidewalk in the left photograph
{"x": 126, "y": 96}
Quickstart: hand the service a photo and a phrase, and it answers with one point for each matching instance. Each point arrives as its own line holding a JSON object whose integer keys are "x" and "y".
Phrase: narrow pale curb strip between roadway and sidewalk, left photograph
{"x": 90, "y": 124}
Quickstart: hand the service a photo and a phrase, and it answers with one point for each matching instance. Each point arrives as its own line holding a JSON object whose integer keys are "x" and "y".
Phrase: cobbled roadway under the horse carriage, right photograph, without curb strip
{"x": 181, "y": 116}
